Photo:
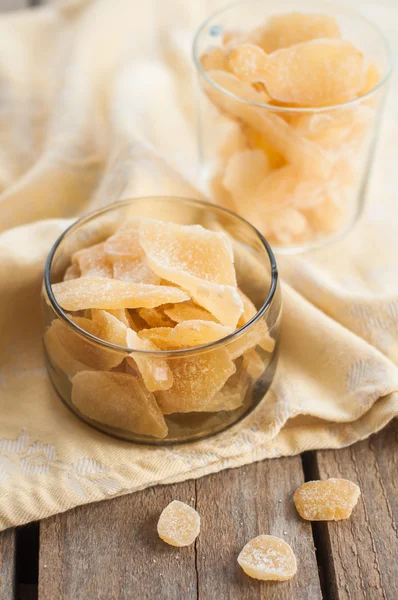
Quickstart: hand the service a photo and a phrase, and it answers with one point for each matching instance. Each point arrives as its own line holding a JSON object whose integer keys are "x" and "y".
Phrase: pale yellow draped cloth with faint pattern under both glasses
{"x": 97, "y": 104}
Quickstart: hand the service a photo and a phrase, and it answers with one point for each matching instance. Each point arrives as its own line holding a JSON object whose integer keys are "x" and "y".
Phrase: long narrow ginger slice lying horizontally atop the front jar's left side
{"x": 99, "y": 292}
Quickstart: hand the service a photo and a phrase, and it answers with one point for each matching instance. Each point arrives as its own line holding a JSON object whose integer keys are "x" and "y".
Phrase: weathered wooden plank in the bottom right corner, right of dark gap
{"x": 361, "y": 553}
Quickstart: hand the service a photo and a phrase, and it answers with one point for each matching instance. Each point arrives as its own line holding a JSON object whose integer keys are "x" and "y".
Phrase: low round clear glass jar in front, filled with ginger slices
{"x": 225, "y": 379}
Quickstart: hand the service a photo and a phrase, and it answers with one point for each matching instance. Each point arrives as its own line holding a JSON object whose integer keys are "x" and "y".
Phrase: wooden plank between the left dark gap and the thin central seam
{"x": 111, "y": 551}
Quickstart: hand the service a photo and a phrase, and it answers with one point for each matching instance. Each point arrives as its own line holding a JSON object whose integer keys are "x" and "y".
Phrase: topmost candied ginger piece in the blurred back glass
{"x": 282, "y": 31}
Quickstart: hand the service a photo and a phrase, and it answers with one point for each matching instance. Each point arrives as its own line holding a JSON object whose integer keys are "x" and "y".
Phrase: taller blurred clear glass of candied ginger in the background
{"x": 299, "y": 174}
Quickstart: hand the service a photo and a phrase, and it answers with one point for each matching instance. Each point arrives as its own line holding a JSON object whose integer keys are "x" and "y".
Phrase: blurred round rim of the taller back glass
{"x": 294, "y": 109}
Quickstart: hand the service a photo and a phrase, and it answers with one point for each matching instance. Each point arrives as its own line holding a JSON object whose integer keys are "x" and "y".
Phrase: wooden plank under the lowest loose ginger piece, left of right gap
{"x": 236, "y": 506}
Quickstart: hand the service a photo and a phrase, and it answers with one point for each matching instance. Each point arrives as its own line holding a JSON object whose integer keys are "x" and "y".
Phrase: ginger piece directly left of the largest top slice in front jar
{"x": 124, "y": 251}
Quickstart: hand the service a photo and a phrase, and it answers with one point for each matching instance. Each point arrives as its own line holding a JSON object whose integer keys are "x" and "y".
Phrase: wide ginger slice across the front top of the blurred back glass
{"x": 314, "y": 73}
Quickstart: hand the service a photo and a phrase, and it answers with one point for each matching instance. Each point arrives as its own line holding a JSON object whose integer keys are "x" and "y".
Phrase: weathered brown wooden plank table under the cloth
{"x": 110, "y": 550}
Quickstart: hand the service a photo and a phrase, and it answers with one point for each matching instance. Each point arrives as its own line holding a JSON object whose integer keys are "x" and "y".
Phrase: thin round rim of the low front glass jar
{"x": 62, "y": 315}
